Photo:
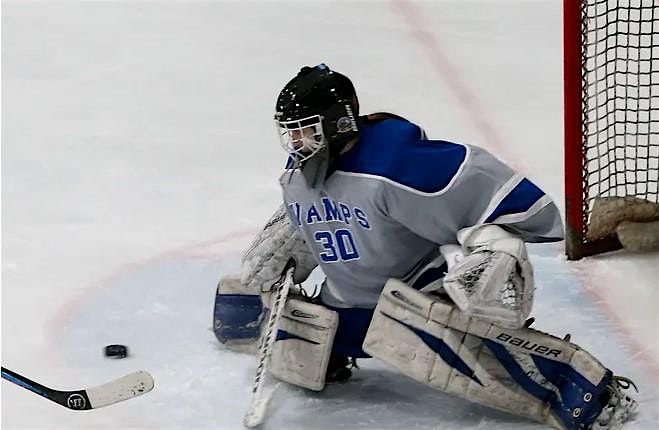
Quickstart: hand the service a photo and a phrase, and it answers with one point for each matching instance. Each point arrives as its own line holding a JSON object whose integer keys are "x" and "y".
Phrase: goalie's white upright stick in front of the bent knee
{"x": 260, "y": 397}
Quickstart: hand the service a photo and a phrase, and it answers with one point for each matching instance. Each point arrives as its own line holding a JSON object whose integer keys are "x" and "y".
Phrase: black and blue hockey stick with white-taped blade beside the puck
{"x": 124, "y": 388}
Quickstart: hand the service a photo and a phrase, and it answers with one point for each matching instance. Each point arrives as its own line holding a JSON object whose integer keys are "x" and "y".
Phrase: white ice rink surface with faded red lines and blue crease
{"x": 139, "y": 156}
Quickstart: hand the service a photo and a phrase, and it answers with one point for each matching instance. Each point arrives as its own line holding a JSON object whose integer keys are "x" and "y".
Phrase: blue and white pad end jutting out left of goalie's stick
{"x": 237, "y": 315}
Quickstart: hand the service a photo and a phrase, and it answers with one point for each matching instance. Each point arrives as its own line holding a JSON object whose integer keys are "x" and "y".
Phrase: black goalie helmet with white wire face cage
{"x": 316, "y": 110}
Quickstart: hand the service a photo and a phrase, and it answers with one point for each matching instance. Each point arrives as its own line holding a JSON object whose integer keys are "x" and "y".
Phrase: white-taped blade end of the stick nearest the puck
{"x": 129, "y": 386}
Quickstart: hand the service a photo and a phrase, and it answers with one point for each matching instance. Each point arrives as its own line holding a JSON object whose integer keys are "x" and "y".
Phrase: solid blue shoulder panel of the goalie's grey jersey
{"x": 396, "y": 149}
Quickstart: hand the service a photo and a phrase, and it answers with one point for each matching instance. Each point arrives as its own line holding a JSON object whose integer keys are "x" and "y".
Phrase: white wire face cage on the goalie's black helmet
{"x": 302, "y": 138}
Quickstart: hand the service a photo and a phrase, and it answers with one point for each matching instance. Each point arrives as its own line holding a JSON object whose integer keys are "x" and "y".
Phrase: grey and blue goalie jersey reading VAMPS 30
{"x": 391, "y": 202}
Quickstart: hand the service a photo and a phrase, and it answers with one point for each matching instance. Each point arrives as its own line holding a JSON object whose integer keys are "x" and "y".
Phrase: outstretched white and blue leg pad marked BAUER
{"x": 523, "y": 372}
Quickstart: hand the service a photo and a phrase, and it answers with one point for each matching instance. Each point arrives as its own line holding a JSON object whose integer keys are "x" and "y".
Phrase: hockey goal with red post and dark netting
{"x": 611, "y": 95}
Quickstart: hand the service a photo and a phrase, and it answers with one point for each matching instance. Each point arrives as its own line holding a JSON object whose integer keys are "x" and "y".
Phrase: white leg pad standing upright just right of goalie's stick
{"x": 303, "y": 344}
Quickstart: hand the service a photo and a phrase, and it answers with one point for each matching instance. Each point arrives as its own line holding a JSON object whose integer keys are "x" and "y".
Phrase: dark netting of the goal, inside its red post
{"x": 620, "y": 56}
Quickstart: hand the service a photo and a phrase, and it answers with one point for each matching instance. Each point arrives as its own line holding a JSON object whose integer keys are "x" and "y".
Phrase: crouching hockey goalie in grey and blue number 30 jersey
{"x": 422, "y": 243}
